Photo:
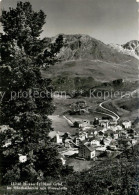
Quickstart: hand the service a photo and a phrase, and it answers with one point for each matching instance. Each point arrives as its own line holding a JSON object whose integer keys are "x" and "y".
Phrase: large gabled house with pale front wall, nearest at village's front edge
{"x": 87, "y": 150}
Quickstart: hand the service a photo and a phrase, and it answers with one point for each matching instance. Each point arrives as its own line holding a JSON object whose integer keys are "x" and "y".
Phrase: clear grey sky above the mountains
{"x": 111, "y": 21}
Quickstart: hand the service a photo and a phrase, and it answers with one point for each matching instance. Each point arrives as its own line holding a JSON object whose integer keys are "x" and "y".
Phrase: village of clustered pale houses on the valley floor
{"x": 94, "y": 139}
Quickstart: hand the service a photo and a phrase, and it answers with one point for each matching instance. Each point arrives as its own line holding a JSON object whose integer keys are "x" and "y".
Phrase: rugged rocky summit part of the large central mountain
{"x": 85, "y": 47}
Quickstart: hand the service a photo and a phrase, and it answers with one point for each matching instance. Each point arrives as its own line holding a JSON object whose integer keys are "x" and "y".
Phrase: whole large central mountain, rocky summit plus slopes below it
{"x": 86, "y": 62}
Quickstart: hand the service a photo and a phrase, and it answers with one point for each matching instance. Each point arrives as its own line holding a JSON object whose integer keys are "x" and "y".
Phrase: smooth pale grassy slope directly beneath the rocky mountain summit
{"x": 99, "y": 70}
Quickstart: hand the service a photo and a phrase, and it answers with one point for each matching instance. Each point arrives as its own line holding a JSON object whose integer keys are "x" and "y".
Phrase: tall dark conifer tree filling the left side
{"x": 29, "y": 155}
